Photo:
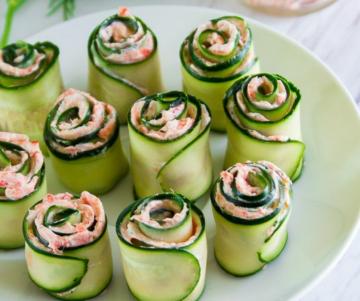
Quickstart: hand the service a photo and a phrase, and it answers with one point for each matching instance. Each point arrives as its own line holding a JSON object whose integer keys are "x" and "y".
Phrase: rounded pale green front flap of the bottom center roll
{"x": 158, "y": 267}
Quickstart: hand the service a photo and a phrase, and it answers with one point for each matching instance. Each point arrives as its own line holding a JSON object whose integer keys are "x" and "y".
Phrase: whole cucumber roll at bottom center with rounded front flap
{"x": 163, "y": 248}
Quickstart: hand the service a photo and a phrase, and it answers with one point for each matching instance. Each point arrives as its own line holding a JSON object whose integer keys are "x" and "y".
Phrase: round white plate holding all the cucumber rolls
{"x": 326, "y": 198}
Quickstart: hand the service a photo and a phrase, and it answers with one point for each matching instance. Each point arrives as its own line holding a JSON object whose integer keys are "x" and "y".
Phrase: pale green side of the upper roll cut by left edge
{"x": 24, "y": 109}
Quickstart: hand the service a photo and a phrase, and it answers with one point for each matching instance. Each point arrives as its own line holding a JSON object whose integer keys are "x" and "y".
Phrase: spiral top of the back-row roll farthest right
{"x": 221, "y": 48}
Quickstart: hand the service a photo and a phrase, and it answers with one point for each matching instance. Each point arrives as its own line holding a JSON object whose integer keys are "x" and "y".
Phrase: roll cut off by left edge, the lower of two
{"x": 22, "y": 184}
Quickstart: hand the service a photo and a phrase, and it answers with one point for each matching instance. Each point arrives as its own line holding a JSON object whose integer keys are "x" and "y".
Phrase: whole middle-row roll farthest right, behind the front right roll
{"x": 263, "y": 113}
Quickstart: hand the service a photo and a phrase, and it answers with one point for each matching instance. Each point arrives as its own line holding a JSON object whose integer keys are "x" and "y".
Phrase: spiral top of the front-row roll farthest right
{"x": 253, "y": 192}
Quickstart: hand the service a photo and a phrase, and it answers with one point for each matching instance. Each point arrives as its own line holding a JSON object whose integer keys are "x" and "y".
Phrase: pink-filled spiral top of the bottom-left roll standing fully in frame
{"x": 63, "y": 221}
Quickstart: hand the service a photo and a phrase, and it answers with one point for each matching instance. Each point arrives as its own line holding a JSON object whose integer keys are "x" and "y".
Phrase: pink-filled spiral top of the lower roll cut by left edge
{"x": 21, "y": 166}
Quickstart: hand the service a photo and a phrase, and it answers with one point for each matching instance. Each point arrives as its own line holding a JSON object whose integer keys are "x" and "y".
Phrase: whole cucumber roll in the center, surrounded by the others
{"x": 169, "y": 145}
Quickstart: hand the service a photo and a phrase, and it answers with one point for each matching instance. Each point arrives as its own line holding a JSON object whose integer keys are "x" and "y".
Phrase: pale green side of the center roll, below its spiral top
{"x": 142, "y": 148}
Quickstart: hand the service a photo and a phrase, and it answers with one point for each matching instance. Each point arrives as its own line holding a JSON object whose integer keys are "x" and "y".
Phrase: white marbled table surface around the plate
{"x": 333, "y": 34}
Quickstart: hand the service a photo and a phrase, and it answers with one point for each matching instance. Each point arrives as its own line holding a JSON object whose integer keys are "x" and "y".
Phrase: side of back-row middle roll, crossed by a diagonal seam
{"x": 146, "y": 74}
